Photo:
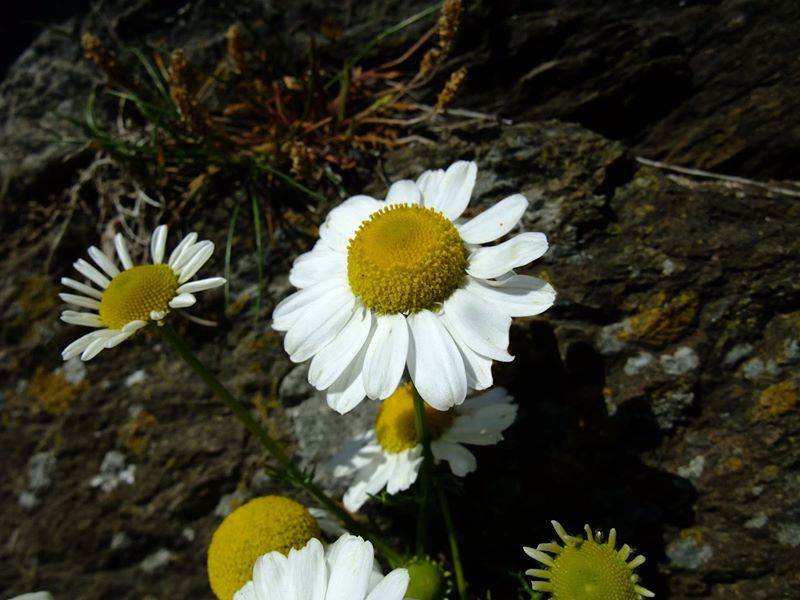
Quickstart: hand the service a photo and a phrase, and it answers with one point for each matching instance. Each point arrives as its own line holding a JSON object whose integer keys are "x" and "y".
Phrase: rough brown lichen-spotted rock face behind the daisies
{"x": 659, "y": 396}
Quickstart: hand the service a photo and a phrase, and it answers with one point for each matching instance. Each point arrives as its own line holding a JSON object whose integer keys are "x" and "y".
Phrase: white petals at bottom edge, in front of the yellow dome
{"x": 343, "y": 571}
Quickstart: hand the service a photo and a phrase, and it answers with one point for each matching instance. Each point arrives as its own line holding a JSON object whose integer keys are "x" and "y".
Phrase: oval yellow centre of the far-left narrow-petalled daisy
{"x": 135, "y": 293}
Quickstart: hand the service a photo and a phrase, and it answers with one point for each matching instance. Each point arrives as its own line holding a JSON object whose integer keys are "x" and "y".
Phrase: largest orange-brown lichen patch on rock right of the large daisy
{"x": 662, "y": 320}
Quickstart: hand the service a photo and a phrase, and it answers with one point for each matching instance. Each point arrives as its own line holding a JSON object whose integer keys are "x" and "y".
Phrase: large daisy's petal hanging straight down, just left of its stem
{"x": 386, "y": 356}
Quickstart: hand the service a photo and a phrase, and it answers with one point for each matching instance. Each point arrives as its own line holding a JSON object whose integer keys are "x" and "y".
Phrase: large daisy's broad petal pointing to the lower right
{"x": 478, "y": 324}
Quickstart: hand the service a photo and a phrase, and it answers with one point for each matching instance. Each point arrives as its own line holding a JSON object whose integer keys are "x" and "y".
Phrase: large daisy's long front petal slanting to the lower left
{"x": 331, "y": 361}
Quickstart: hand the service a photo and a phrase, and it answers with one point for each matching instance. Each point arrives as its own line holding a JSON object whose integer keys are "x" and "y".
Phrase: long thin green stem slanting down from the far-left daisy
{"x": 295, "y": 475}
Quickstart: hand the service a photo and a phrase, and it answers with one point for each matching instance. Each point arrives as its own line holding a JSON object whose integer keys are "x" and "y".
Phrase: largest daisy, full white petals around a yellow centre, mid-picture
{"x": 405, "y": 282}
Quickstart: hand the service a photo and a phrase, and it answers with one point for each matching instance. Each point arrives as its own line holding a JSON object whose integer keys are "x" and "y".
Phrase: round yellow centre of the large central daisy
{"x": 404, "y": 259}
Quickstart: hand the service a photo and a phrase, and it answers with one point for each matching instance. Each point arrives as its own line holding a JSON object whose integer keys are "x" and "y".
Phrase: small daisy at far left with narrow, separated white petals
{"x": 123, "y": 301}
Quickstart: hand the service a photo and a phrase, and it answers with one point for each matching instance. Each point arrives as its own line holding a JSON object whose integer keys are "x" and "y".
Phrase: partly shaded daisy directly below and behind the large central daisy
{"x": 389, "y": 456}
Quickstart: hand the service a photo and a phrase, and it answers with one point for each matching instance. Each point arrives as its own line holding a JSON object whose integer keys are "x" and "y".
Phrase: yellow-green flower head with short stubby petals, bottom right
{"x": 587, "y": 568}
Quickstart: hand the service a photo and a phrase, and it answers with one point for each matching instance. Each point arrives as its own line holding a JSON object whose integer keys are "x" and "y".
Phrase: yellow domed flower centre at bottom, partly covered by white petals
{"x": 268, "y": 524}
